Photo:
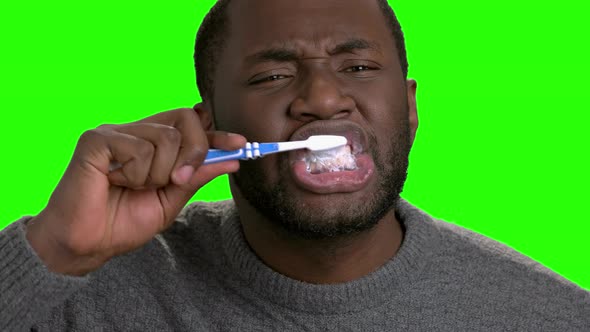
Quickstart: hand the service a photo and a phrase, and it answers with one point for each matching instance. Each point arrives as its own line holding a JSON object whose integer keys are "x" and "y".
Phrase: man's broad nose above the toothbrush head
{"x": 320, "y": 97}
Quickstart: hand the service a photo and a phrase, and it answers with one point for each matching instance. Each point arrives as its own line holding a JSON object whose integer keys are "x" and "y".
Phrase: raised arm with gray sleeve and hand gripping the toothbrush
{"x": 97, "y": 213}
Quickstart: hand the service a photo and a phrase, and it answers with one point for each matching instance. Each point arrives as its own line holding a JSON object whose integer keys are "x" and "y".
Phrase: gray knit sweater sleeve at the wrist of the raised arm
{"x": 28, "y": 290}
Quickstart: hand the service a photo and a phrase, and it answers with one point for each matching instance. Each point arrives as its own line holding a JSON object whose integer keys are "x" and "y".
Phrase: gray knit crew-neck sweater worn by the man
{"x": 200, "y": 275}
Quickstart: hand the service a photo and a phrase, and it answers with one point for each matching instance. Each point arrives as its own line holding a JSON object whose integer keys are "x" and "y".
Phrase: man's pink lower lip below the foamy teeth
{"x": 334, "y": 182}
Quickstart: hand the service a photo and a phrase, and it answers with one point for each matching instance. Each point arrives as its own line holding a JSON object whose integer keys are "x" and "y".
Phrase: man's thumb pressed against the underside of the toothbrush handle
{"x": 176, "y": 196}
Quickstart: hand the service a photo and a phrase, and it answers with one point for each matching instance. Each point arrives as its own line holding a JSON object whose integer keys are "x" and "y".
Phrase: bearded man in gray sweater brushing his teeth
{"x": 115, "y": 249}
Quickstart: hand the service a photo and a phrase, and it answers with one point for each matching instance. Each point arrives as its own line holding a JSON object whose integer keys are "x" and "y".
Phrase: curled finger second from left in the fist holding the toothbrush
{"x": 166, "y": 140}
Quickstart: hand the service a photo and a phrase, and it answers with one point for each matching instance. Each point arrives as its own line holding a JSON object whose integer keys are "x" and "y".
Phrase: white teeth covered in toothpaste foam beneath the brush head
{"x": 334, "y": 160}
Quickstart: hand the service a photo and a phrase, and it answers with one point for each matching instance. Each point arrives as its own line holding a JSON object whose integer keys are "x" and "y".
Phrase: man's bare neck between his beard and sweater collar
{"x": 329, "y": 261}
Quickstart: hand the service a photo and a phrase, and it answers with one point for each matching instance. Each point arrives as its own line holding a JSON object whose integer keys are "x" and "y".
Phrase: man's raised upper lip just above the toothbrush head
{"x": 354, "y": 134}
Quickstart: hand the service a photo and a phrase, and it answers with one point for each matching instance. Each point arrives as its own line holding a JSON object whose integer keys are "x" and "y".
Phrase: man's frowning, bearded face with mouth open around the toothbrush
{"x": 291, "y": 69}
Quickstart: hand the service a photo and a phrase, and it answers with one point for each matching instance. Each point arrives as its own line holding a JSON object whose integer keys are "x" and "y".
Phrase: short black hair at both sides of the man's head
{"x": 214, "y": 31}
